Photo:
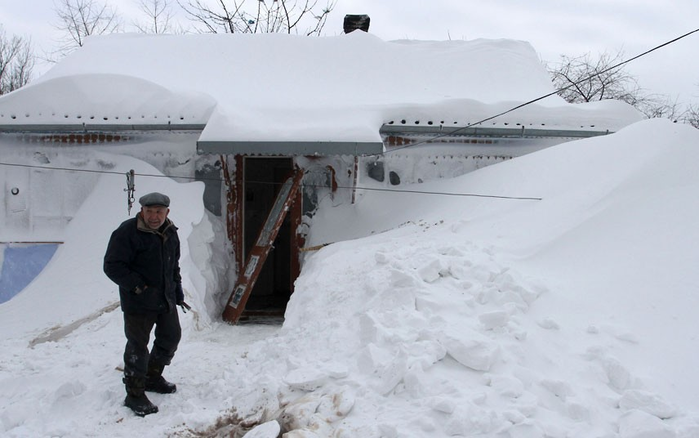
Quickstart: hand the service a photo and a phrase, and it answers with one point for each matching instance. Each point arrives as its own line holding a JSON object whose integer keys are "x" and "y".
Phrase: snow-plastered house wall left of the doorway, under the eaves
{"x": 46, "y": 182}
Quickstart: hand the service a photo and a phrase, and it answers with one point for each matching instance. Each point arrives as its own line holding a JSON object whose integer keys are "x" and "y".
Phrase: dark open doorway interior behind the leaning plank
{"x": 263, "y": 179}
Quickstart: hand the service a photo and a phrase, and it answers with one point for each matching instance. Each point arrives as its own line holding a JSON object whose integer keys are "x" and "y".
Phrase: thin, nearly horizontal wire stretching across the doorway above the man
{"x": 189, "y": 178}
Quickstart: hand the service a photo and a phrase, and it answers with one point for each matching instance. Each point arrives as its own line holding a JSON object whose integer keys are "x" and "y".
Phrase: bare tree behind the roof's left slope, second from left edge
{"x": 82, "y": 18}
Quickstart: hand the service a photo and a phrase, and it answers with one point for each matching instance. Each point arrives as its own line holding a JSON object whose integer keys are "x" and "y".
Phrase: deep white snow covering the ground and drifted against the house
{"x": 572, "y": 316}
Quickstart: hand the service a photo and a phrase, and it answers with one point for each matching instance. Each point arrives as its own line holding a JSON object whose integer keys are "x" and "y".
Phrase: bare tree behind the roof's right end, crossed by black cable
{"x": 584, "y": 79}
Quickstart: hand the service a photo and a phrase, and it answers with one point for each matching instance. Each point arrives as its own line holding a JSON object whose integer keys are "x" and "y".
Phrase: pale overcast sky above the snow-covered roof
{"x": 553, "y": 27}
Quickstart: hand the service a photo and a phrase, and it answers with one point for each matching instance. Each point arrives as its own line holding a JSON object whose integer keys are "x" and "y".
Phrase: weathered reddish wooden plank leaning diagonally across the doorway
{"x": 259, "y": 252}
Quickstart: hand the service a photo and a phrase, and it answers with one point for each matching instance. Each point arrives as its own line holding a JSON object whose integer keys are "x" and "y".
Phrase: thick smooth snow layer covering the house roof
{"x": 276, "y": 87}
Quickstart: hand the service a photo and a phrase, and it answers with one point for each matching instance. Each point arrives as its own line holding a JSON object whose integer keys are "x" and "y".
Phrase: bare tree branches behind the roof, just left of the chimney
{"x": 260, "y": 16}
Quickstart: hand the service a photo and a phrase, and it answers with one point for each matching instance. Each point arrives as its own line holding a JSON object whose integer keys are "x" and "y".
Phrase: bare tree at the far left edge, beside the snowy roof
{"x": 16, "y": 62}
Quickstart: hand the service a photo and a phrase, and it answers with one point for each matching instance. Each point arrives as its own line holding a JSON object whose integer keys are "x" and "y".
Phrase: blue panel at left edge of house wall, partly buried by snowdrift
{"x": 21, "y": 264}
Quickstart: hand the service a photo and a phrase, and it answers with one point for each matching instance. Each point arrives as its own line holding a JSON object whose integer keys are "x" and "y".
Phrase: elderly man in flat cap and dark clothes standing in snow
{"x": 143, "y": 259}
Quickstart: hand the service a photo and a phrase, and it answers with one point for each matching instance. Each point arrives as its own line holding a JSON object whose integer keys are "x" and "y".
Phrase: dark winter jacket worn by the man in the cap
{"x": 145, "y": 265}
